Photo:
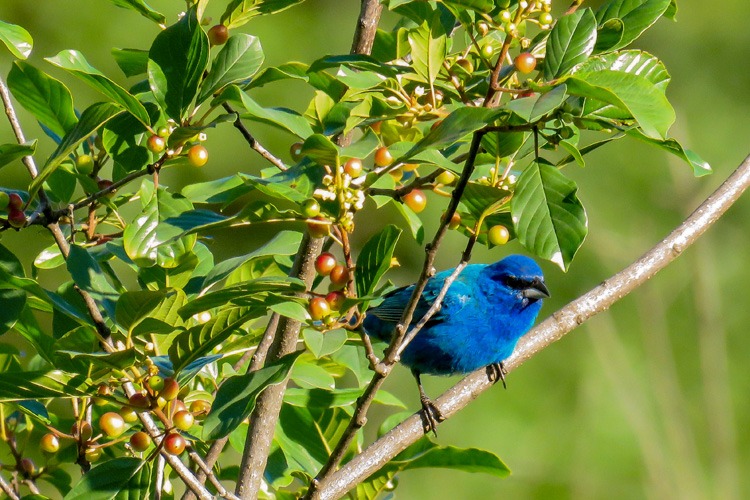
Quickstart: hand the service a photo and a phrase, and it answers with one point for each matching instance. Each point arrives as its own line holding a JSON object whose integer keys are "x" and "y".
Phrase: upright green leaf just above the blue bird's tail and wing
{"x": 375, "y": 259}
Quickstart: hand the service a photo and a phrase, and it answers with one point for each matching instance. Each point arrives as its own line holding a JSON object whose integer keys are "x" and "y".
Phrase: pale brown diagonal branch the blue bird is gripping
{"x": 550, "y": 330}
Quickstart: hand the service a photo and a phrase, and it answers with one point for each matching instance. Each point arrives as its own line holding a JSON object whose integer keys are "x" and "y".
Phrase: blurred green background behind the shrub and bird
{"x": 648, "y": 400}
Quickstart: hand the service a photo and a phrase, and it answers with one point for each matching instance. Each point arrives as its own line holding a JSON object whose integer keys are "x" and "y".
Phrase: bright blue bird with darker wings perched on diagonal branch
{"x": 483, "y": 314}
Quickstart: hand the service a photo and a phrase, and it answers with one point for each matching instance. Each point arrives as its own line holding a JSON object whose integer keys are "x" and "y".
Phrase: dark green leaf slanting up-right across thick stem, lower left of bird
{"x": 236, "y": 397}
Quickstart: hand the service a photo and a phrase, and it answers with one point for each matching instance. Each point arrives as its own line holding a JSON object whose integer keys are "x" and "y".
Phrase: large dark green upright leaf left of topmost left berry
{"x": 177, "y": 60}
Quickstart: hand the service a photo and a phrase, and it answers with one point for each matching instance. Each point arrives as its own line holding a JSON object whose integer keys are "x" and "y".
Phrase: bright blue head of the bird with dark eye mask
{"x": 518, "y": 276}
